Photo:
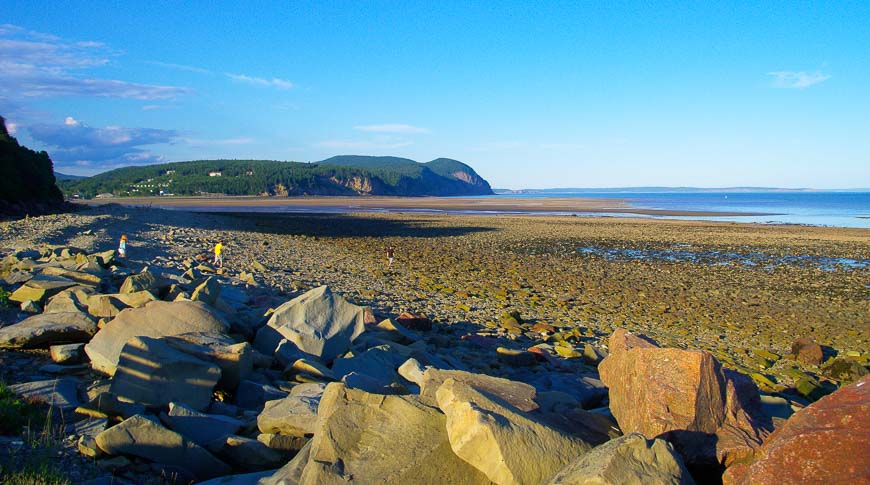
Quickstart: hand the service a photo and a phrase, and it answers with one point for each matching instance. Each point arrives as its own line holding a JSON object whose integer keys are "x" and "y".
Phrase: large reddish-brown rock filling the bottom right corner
{"x": 826, "y": 442}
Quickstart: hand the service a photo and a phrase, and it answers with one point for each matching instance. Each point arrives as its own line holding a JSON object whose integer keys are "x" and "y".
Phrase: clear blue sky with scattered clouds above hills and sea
{"x": 532, "y": 95}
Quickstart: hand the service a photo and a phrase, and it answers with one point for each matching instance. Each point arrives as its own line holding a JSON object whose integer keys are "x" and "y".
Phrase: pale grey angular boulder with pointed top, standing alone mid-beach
{"x": 319, "y": 323}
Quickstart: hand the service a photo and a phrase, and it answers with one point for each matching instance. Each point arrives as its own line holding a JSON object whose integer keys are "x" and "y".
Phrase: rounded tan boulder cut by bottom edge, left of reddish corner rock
{"x": 627, "y": 459}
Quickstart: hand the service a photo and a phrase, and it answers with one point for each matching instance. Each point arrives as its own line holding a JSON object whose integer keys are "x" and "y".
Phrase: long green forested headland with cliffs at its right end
{"x": 341, "y": 175}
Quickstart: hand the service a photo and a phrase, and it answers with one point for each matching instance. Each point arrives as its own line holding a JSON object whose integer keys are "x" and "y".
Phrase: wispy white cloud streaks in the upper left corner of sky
{"x": 33, "y": 64}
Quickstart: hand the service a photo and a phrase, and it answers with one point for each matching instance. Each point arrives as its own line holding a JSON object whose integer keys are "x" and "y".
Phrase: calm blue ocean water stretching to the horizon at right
{"x": 836, "y": 209}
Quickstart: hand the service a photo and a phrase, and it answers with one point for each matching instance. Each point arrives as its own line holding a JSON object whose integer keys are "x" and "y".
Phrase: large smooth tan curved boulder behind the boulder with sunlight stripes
{"x": 156, "y": 319}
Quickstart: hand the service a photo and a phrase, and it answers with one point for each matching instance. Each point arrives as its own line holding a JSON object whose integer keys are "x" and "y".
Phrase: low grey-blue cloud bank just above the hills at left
{"x": 74, "y": 143}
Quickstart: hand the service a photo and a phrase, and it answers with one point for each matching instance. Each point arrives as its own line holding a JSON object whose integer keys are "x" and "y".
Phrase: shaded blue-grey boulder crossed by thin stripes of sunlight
{"x": 152, "y": 372}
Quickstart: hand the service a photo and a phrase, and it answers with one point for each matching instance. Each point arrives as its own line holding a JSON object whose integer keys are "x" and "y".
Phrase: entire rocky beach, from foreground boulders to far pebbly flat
{"x": 699, "y": 347}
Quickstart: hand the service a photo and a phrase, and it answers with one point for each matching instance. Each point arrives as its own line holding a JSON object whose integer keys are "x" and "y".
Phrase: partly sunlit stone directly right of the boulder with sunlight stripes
{"x": 236, "y": 360}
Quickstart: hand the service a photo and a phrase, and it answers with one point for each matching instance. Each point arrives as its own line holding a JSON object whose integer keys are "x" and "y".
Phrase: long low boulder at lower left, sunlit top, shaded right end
{"x": 146, "y": 438}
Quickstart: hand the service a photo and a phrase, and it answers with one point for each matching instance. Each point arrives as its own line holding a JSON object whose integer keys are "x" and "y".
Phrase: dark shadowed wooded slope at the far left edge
{"x": 27, "y": 183}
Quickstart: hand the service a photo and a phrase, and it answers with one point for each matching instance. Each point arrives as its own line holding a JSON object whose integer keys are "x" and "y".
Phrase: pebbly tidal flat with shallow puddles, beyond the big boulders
{"x": 745, "y": 292}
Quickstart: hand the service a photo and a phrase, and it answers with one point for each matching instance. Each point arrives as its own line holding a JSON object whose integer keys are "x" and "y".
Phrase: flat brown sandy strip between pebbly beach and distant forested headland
{"x": 548, "y": 206}
